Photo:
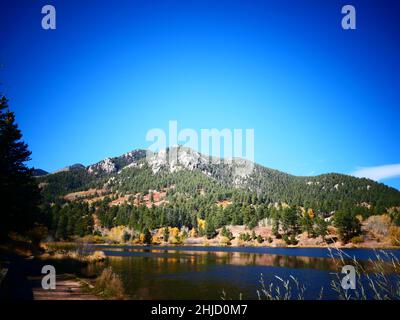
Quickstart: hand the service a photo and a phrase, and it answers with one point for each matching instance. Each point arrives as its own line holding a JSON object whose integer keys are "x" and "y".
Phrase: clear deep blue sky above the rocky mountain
{"x": 319, "y": 98}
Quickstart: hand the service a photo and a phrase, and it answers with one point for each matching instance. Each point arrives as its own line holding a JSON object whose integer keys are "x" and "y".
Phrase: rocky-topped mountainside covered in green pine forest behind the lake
{"x": 146, "y": 194}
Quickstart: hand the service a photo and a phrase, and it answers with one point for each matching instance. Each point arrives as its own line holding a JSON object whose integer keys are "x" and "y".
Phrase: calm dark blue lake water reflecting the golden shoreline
{"x": 207, "y": 272}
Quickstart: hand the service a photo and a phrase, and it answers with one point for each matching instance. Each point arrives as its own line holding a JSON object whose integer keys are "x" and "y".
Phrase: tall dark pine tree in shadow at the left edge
{"x": 19, "y": 194}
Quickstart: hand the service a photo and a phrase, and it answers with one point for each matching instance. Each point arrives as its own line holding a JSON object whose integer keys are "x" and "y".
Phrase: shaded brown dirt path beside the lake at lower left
{"x": 66, "y": 289}
